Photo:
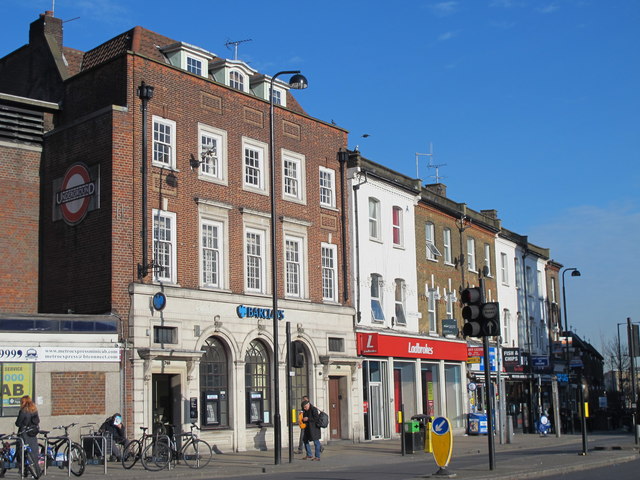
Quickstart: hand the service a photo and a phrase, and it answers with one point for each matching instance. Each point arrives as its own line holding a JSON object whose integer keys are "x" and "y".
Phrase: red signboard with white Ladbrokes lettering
{"x": 379, "y": 345}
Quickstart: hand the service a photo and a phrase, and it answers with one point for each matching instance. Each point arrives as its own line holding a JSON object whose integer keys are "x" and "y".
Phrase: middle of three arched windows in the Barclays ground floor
{"x": 257, "y": 381}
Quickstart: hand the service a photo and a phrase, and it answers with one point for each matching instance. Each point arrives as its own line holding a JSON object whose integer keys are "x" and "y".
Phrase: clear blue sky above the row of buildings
{"x": 533, "y": 105}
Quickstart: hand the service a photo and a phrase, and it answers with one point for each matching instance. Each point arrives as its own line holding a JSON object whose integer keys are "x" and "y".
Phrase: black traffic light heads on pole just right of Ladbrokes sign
{"x": 481, "y": 319}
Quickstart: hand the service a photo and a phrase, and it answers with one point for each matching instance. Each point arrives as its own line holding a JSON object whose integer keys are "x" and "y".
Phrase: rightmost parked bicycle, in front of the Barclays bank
{"x": 194, "y": 452}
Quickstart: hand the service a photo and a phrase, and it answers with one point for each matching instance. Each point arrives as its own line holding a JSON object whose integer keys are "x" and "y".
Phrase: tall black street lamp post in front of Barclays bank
{"x": 297, "y": 81}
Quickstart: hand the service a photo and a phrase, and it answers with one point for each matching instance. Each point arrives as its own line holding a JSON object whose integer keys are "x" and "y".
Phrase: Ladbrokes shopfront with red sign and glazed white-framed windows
{"x": 421, "y": 375}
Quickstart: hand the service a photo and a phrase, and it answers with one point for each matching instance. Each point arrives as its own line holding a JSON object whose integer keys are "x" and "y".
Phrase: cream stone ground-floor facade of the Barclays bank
{"x": 201, "y": 315}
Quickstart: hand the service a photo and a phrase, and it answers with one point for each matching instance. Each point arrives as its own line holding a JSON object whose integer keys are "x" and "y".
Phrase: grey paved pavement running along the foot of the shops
{"x": 527, "y": 456}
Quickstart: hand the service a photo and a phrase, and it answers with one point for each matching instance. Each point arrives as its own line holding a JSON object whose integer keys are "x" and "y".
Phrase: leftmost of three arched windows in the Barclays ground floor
{"x": 214, "y": 384}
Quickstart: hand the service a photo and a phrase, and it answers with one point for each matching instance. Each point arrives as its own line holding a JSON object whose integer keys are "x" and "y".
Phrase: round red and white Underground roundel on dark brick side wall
{"x": 75, "y": 193}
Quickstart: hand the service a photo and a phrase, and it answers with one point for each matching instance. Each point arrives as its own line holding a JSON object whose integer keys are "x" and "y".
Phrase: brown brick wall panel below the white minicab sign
{"x": 77, "y": 393}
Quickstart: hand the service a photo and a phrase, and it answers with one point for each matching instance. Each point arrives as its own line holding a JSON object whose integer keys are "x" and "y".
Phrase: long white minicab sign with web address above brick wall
{"x": 58, "y": 354}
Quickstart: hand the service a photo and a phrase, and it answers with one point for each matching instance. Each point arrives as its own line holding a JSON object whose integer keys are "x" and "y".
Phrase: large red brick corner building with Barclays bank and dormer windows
{"x": 156, "y": 210}
